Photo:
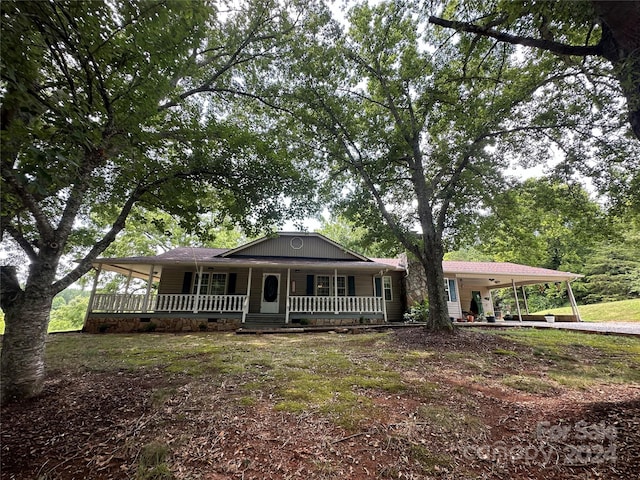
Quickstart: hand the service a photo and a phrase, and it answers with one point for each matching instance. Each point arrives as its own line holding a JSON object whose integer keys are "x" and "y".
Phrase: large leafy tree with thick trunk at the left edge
{"x": 109, "y": 105}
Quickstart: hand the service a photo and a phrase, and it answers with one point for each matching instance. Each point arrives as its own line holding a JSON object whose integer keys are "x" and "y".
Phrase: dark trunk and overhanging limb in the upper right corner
{"x": 598, "y": 28}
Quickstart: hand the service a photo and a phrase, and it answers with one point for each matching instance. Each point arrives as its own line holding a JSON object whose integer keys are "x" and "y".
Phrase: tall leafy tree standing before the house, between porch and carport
{"x": 419, "y": 135}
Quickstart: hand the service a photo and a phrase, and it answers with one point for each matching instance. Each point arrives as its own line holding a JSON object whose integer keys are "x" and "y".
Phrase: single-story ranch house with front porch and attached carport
{"x": 289, "y": 279}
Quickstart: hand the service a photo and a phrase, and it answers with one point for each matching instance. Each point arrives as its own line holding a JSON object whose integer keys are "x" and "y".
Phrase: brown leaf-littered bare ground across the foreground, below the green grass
{"x": 93, "y": 425}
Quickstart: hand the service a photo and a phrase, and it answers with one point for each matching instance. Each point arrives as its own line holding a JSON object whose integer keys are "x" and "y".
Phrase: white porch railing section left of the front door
{"x": 130, "y": 303}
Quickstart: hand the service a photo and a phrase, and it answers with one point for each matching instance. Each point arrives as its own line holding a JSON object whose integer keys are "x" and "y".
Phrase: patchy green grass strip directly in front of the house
{"x": 333, "y": 375}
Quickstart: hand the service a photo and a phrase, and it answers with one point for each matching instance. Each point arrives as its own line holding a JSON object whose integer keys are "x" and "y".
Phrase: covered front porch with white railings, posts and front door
{"x": 252, "y": 295}
